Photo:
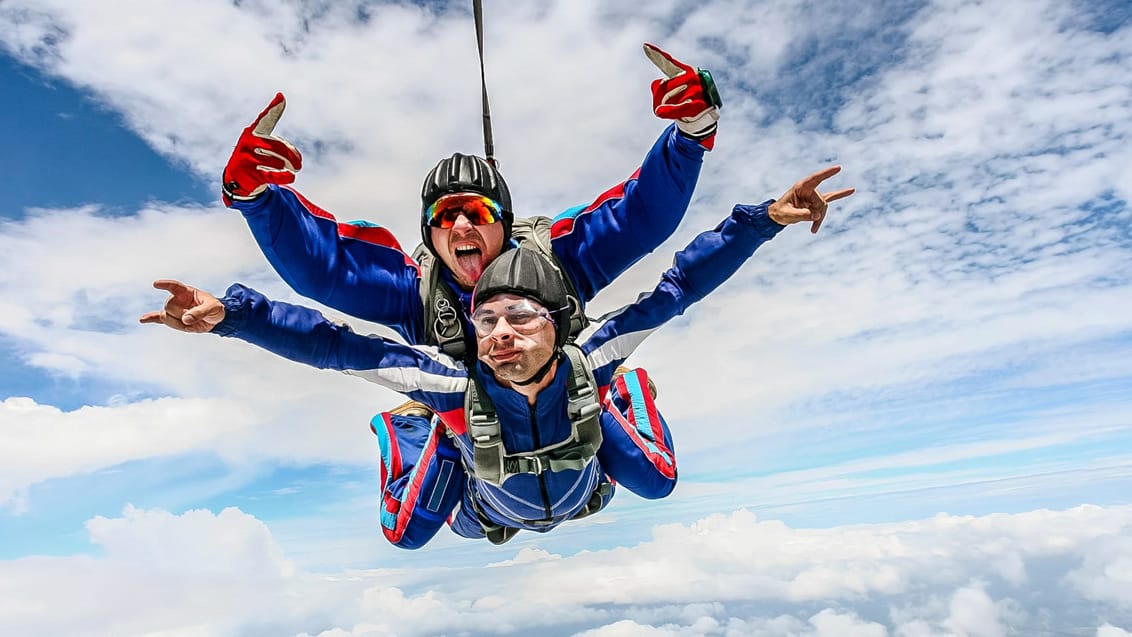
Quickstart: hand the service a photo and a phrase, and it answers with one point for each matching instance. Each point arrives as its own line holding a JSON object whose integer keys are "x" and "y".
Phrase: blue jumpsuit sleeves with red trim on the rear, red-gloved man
{"x": 363, "y": 272}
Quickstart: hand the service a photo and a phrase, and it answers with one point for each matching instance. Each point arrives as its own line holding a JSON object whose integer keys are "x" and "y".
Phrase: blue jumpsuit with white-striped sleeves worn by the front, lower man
{"x": 426, "y": 471}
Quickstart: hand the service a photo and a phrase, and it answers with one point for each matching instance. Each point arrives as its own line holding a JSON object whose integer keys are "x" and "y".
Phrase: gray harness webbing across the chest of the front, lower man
{"x": 493, "y": 462}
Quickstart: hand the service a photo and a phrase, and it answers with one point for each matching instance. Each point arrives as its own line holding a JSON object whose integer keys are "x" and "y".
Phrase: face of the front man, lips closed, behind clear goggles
{"x": 516, "y": 337}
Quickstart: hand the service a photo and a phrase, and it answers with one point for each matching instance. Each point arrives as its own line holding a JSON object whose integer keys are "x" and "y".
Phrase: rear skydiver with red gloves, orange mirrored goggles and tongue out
{"x": 467, "y": 222}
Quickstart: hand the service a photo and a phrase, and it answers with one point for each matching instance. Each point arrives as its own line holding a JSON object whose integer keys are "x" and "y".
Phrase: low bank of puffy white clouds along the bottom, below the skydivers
{"x": 726, "y": 575}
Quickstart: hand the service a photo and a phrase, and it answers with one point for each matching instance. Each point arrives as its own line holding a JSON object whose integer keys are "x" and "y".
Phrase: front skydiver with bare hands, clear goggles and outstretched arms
{"x": 538, "y": 431}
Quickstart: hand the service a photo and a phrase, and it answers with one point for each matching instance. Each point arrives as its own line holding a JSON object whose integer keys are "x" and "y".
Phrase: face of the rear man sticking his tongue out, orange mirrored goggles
{"x": 467, "y": 248}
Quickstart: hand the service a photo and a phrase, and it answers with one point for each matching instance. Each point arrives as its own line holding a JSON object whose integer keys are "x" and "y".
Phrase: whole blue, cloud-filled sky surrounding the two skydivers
{"x": 917, "y": 423}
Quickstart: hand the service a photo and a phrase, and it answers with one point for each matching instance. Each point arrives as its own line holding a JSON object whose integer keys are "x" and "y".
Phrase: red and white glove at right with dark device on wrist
{"x": 687, "y": 94}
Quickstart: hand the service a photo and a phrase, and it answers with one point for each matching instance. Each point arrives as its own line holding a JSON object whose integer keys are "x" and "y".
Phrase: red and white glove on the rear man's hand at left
{"x": 261, "y": 158}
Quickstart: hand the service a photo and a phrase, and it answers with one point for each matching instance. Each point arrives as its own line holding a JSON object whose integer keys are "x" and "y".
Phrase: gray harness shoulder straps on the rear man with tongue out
{"x": 443, "y": 325}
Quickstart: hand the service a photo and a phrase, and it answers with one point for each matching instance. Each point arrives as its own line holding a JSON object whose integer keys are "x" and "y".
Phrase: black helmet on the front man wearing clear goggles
{"x": 527, "y": 273}
